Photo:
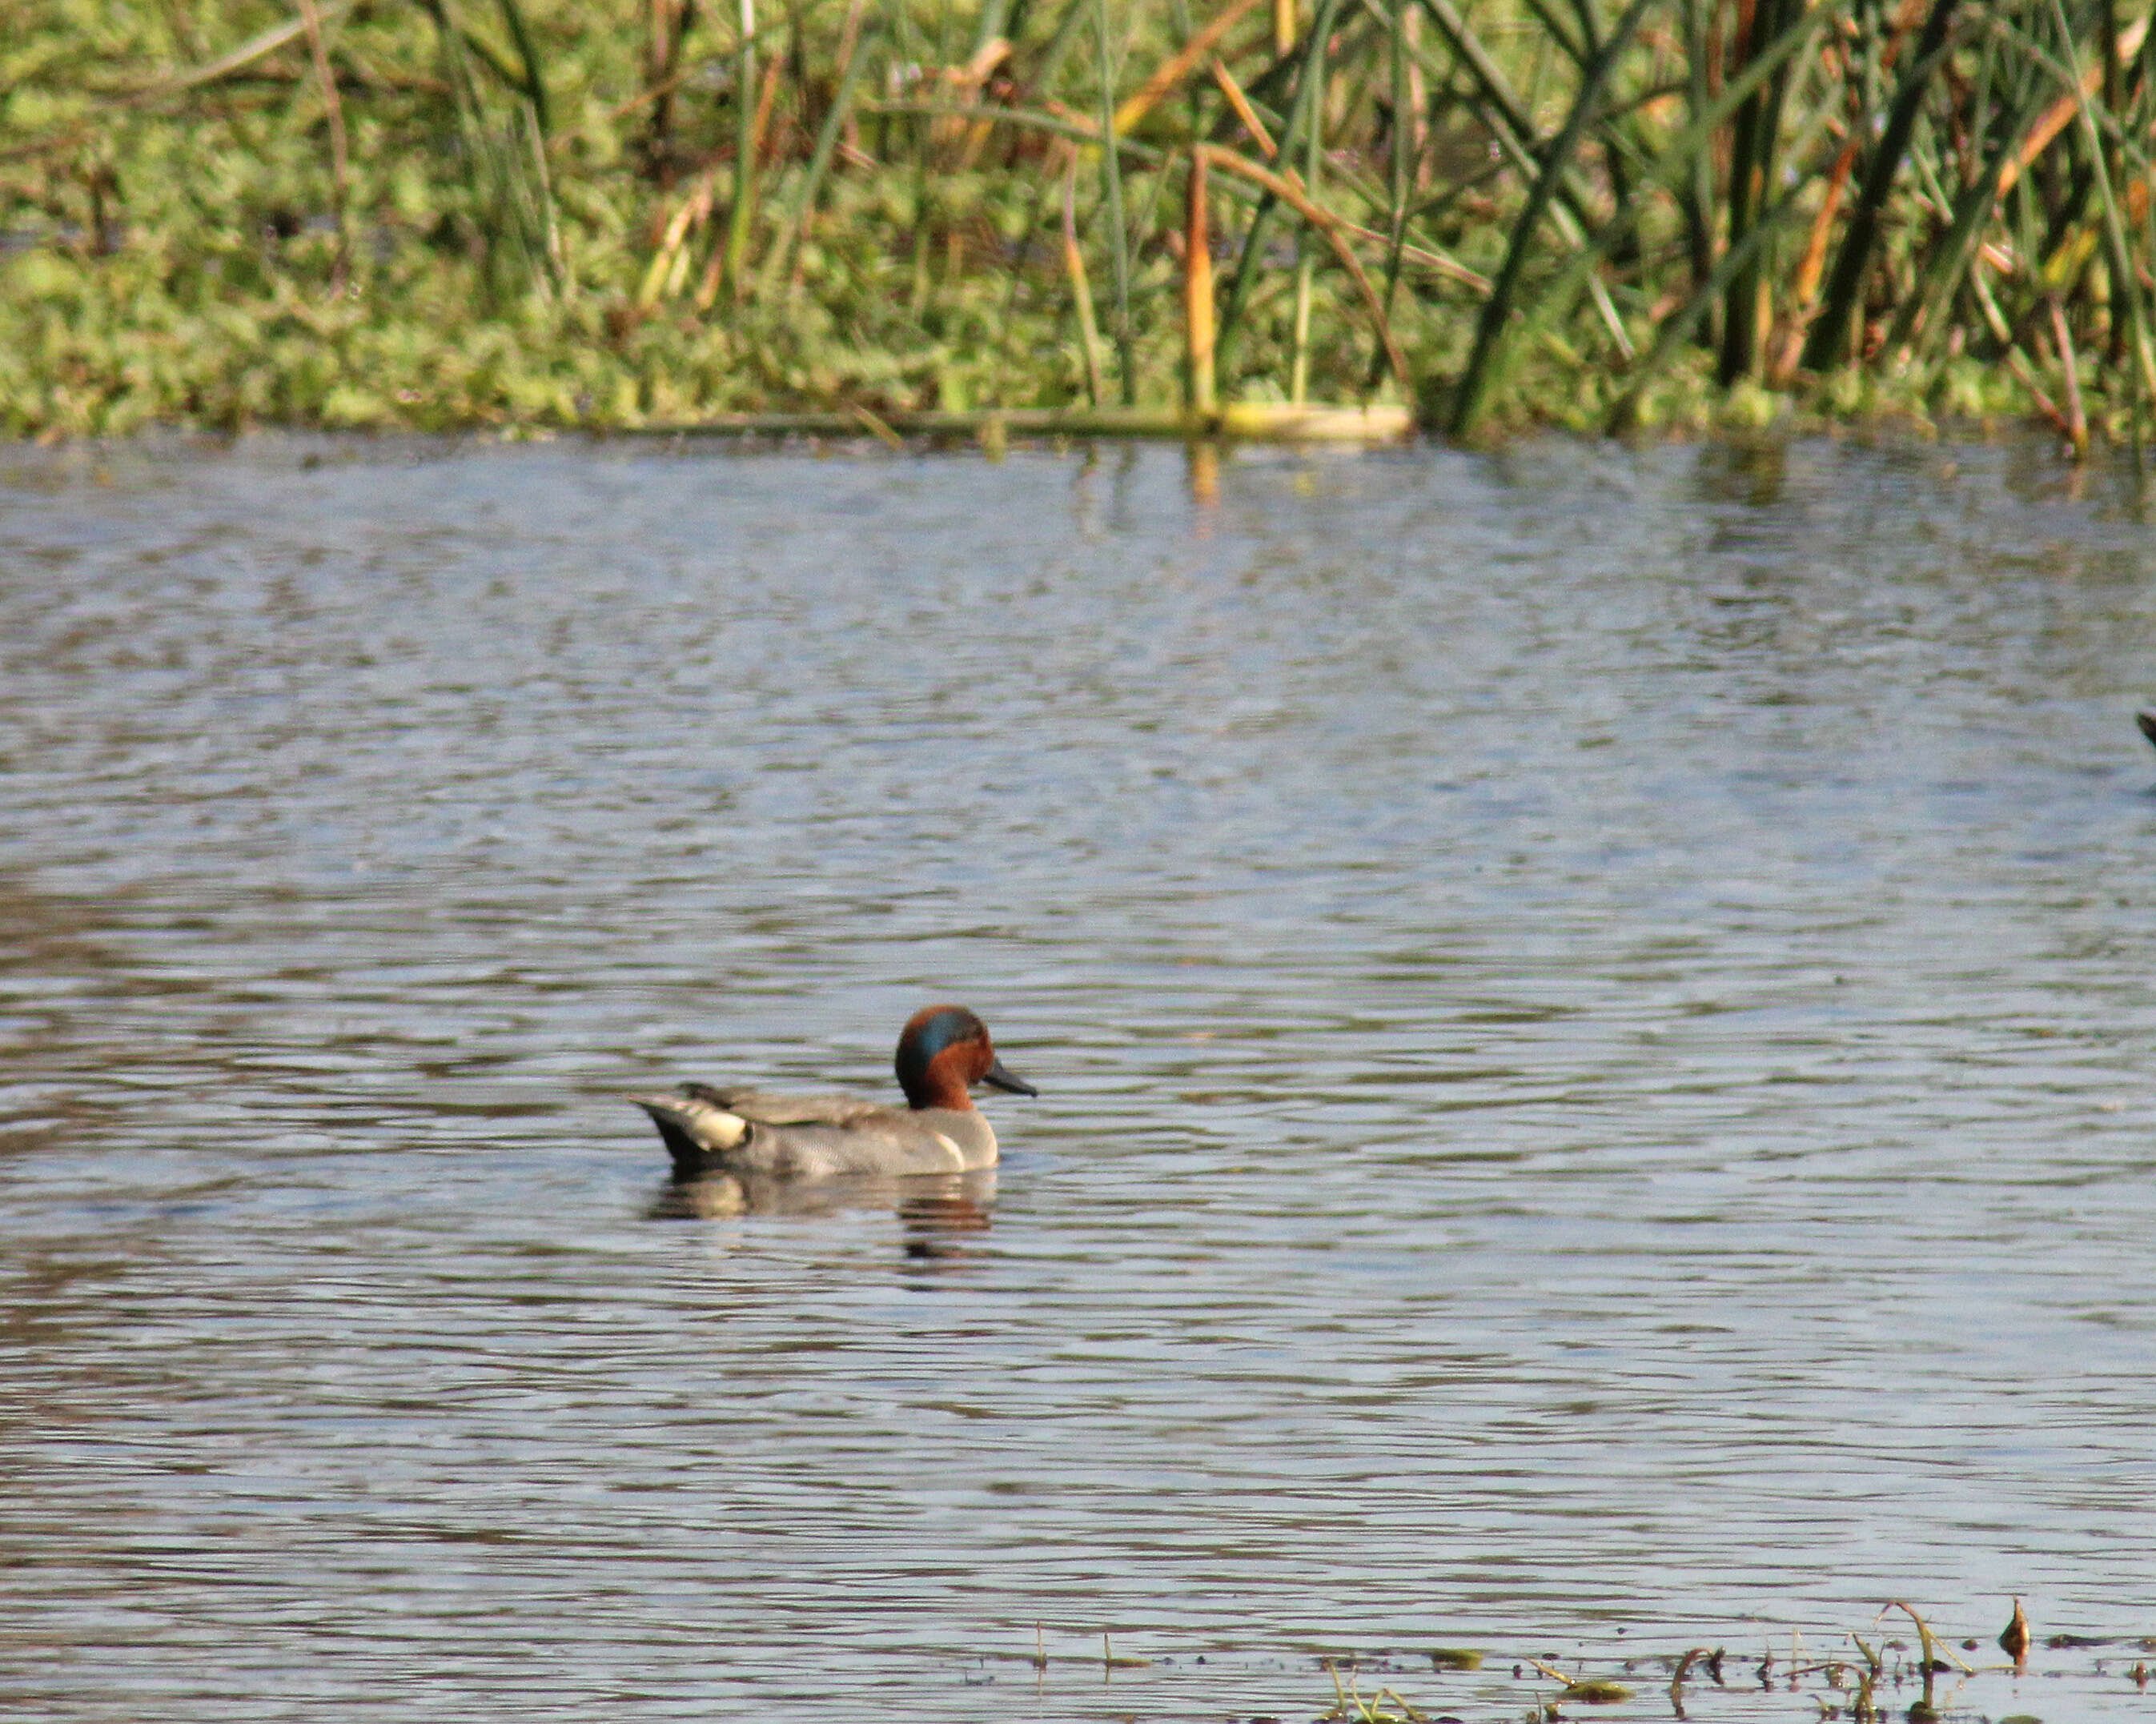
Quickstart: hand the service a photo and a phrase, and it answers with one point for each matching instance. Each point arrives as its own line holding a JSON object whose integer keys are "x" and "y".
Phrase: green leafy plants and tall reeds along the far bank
{"x": 1075, "y": 217}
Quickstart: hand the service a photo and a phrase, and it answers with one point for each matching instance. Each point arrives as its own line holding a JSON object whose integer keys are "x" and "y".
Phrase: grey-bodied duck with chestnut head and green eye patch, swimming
{"x": 943, "y": 1055}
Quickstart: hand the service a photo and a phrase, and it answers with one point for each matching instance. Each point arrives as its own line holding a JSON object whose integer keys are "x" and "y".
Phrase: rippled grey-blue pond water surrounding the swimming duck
{"x": 1592, "y": 1007}
